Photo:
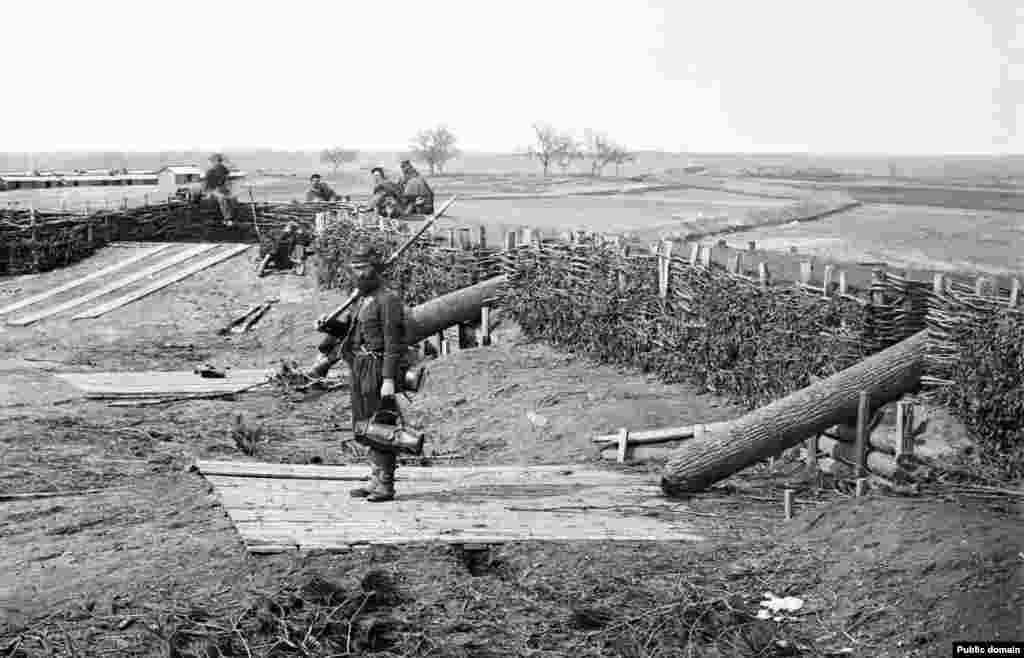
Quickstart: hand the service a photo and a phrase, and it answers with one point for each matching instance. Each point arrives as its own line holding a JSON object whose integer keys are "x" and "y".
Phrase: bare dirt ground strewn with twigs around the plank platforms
{"x": 152, "y": 565}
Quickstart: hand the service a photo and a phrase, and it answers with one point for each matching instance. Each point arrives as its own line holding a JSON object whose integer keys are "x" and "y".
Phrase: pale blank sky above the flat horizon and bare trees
{"x": 913, "y": 77}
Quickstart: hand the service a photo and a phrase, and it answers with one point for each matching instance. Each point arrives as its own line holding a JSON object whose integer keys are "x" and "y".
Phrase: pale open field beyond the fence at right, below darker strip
{"x": 906, "y": 237}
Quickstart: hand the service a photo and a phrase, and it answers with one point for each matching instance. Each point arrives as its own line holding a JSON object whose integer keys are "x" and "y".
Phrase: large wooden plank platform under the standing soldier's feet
{"x": 289, "y": 507}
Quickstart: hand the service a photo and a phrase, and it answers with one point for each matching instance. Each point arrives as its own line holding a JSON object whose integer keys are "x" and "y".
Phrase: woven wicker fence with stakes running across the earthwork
{"x": 750, "y": 325}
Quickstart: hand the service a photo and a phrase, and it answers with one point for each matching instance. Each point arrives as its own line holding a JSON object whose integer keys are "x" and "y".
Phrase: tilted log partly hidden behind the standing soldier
{"x": 463, "y": 305}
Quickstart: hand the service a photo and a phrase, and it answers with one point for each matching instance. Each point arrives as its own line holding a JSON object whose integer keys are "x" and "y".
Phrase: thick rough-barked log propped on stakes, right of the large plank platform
{"x": 729, "y": 448}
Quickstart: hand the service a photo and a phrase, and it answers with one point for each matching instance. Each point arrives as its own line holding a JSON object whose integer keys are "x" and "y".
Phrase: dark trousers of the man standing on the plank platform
{"x": 365, "y": 379}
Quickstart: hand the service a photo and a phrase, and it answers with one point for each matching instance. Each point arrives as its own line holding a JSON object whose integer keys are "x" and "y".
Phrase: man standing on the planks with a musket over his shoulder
{"x": 373, "y": 348}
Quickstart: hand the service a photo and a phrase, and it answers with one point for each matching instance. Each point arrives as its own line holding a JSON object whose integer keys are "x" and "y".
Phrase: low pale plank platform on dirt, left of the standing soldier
{"x": 159, "y": 384}
